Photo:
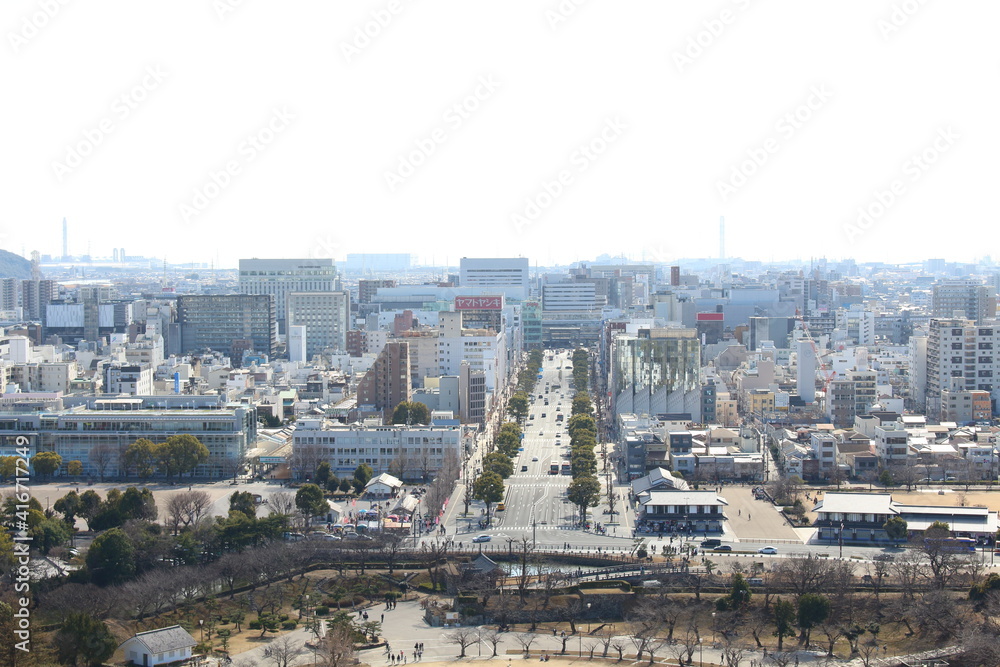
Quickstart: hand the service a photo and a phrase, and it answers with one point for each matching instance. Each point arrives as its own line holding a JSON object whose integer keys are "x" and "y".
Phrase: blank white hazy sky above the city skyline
{"x": 552, "y": 130}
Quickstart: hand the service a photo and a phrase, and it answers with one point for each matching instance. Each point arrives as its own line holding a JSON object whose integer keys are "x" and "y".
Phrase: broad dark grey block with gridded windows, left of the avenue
{"x": 218, "y": 321}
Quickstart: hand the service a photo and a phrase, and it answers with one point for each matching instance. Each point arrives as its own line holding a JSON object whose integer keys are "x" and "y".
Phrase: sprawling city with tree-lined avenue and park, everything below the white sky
{"x": 653, "y": 445}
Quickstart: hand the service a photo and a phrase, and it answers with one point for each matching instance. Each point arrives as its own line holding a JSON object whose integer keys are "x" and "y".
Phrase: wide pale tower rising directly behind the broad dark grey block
{"x": 281, "y": 277}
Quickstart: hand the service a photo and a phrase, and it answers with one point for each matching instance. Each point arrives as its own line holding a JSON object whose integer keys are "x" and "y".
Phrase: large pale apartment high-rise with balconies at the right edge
{"x": 958, "y": 348}
